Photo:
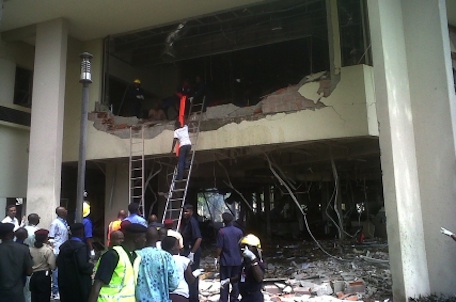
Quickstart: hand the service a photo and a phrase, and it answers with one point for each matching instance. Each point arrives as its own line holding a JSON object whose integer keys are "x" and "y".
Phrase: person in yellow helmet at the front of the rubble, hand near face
{"x": 252, "y": 270}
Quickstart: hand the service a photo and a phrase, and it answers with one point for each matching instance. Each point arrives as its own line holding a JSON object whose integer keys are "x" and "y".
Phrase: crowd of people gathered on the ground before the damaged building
{"x": 144, "y": 261}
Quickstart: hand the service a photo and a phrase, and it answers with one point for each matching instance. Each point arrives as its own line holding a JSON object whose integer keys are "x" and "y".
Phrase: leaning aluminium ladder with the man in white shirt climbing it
{"x": 175, "y": 199}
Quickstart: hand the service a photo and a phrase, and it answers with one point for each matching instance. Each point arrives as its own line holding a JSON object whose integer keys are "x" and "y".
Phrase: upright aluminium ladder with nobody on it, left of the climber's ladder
{"x": 136, "y": 165}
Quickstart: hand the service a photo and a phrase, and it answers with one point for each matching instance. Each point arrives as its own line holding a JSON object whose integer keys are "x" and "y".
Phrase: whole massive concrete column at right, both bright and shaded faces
{"x": 416, "y": 112}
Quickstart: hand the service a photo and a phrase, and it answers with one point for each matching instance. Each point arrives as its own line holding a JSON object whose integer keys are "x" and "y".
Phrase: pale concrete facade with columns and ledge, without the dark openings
{"x": 392, "y": 118}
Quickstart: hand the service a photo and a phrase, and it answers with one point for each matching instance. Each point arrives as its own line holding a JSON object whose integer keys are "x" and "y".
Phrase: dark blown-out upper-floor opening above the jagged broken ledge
{"x": 241, "y": 55}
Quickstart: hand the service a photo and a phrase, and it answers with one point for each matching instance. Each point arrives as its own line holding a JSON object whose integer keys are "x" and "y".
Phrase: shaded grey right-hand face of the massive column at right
{"x": 433, "y": 109}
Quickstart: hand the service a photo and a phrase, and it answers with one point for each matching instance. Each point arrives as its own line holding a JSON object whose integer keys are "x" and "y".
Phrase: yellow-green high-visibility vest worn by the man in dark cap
{"x": 123, "y": 280}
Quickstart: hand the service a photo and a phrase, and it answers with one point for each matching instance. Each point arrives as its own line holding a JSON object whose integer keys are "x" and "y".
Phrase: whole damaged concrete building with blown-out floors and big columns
{"x": 322, "y": 119}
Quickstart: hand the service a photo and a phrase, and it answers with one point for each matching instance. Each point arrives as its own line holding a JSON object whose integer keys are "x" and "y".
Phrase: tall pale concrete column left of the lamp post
{"x": 45, "y": 160}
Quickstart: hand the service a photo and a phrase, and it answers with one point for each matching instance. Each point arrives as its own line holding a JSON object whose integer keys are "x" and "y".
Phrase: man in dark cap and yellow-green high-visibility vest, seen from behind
{"x": 115, "y": 278}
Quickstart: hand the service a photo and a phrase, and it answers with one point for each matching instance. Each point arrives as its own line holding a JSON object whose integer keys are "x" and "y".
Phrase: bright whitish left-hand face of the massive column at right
{"x": 403, "y": 203}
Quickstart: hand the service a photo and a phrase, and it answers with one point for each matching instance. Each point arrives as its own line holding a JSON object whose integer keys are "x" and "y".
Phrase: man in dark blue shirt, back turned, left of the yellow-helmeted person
{"x": 229, "y": 253}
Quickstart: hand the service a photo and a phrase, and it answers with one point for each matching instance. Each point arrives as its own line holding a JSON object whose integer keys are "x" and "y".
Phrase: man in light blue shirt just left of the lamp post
{"x": 58, "y": 233}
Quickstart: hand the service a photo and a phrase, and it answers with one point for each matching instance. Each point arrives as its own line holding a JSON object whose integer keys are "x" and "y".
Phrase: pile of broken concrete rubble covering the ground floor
{"x": 303, "y": 272}
